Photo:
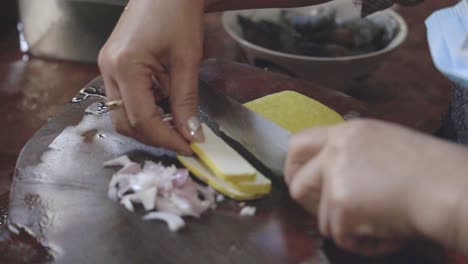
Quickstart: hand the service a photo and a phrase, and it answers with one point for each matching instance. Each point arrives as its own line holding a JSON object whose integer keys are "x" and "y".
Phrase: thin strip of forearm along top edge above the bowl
{"x": 221, "y": 5}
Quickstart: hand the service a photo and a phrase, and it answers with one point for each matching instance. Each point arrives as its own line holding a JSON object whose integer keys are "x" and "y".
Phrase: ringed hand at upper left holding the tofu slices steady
{"x": 162, "y": 40}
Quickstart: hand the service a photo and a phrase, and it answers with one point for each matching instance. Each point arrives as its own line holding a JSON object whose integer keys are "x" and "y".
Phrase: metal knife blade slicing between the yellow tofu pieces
{"x": 265, "y": 140}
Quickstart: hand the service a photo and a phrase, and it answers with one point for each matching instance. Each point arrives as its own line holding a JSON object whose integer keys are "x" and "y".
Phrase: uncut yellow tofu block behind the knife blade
{"x": 294, "y": 111}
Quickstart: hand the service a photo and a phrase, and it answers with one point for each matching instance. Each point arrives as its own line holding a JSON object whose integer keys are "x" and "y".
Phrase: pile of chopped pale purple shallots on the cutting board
{"x": 169, "y": 190}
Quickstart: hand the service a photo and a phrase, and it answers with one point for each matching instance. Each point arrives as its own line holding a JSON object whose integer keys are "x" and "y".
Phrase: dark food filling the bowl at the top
{"x": 317, "y": 35}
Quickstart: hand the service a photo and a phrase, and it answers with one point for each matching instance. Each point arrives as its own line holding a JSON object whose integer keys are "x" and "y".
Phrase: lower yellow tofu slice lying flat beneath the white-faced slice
{"x": 204, "y": 174}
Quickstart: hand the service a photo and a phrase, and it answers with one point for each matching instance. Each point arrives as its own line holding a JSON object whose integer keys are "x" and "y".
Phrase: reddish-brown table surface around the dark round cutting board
{"x": 33, "y": 90}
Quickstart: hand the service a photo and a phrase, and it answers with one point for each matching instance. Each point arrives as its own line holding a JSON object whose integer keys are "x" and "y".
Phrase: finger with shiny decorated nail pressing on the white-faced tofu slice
{"x": 184, "y": 99}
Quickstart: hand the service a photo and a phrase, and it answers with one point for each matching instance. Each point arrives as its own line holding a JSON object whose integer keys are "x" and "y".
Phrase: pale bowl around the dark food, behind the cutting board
{"x": 334, "y": 72}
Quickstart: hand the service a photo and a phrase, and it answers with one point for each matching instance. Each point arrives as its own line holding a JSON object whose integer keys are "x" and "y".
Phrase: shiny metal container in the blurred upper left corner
{"x": 67, "y": 29}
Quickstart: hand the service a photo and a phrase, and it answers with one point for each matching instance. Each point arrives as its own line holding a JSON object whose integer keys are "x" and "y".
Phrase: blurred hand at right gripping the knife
{"x": 374, "y": 184}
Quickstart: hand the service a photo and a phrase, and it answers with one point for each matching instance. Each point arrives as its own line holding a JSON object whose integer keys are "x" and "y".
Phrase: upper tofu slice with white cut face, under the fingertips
{"x": 221, "y": 159}
